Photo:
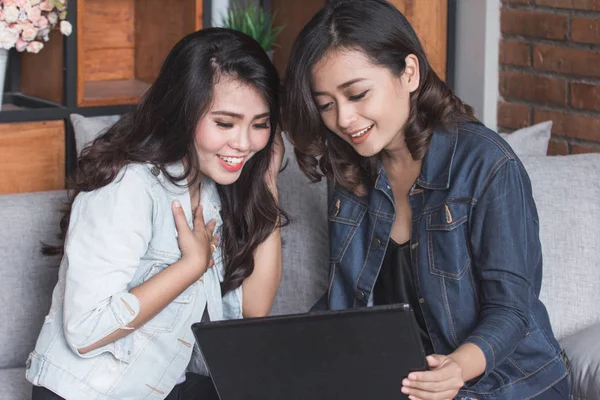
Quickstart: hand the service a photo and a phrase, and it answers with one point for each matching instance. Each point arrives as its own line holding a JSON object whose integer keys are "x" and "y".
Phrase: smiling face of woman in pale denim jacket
{"x": 236, "y": 127}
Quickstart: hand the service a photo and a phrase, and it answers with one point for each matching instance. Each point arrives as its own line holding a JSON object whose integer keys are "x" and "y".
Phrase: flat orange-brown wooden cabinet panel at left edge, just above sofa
{"x": 33, "y": 156}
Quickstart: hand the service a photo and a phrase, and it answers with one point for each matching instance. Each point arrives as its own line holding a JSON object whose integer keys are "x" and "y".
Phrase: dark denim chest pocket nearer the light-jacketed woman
{"x": 344, "y": 218}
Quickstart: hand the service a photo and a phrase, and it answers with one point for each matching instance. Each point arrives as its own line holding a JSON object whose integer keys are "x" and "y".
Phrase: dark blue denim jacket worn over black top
{"x": 476, "y": 254}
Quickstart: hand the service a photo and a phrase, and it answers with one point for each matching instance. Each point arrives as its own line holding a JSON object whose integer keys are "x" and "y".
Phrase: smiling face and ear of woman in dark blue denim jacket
{"x": 363, "y": 103}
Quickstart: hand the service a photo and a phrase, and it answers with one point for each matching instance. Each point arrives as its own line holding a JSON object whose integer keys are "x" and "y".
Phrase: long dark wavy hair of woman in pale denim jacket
{"x": 161, "y": 131}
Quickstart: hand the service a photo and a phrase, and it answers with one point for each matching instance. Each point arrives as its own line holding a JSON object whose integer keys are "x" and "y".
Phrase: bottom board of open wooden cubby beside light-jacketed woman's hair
{"x": 109, "y": 92}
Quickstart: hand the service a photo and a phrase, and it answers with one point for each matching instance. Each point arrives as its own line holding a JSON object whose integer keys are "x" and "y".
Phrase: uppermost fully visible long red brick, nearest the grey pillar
{"x": 533, "y": 24}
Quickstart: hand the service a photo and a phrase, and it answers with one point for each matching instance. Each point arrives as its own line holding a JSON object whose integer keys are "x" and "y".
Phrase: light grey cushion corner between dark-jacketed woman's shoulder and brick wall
{"x": 530, "y": 141}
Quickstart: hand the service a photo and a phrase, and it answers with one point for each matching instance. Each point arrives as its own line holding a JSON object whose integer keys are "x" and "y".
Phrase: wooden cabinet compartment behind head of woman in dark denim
{"x": 429, "y": 18}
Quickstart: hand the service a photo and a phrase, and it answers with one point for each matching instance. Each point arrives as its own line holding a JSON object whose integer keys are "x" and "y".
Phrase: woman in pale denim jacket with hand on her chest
{"x": 136, "y": 271}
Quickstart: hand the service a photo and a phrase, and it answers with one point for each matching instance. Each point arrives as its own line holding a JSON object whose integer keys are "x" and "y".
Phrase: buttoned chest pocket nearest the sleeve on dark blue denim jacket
{"x": 447, "y": 241}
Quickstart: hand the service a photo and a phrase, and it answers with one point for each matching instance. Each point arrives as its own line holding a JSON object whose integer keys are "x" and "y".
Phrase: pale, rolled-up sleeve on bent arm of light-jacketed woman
{"x": 109, "y": 232}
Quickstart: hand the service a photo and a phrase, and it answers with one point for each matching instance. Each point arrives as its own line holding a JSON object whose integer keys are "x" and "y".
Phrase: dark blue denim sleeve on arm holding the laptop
{"x": 505, "y": 250}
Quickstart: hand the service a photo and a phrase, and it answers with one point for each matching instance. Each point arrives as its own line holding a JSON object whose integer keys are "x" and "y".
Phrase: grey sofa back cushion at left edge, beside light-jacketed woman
{"x": 28, "y": 277}
